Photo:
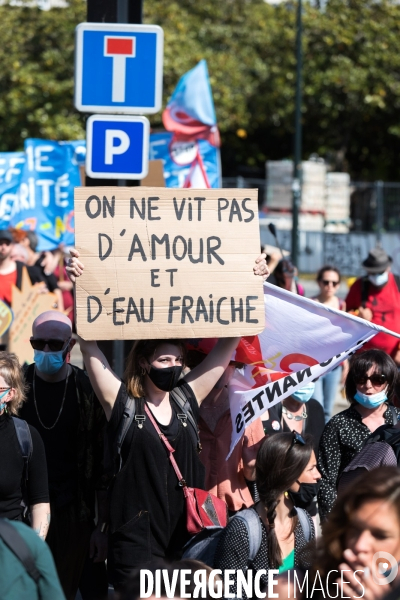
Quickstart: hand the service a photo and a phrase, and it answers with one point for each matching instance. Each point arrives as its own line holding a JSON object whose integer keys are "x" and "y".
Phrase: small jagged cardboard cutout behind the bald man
{"x": 27, "y": 304}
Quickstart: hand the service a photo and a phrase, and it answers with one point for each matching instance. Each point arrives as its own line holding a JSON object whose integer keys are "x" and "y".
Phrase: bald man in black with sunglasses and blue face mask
{"x": 62, "y": 406}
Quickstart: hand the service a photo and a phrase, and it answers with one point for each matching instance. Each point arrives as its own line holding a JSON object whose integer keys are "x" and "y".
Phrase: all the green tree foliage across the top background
{"x": 351, "y": 76}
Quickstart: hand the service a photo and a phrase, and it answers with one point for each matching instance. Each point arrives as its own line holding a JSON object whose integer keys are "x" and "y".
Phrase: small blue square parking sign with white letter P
{"x": 117, "y": 147}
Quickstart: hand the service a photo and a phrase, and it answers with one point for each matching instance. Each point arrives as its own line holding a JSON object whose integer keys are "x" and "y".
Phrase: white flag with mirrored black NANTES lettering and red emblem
{"x": 302, "y": 340}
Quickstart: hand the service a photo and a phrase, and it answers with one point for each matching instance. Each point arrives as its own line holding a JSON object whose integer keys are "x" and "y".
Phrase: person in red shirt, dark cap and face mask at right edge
{"x": 376, "y": 298}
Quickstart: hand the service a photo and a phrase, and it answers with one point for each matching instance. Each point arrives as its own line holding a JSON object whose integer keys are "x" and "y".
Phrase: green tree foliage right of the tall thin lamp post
{"x": 352, "y": 86}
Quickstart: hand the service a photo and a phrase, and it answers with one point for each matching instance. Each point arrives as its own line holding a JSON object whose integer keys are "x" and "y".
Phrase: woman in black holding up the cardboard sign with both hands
{"x": 147, "y": 507}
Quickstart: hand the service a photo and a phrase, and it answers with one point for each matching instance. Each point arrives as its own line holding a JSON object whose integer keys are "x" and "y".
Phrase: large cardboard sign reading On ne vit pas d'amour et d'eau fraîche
{"x": 167, "y": 263}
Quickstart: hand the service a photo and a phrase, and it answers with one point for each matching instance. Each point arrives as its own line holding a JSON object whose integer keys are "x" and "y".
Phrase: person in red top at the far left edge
{"x": 11, "y": 270}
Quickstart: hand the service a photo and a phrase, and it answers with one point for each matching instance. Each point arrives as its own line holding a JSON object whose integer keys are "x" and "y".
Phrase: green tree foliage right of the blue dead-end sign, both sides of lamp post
{"x": 351, "y": 90}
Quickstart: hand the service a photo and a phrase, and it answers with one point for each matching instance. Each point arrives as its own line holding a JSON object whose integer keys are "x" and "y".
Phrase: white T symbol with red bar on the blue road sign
{"x": 119, "y": 48}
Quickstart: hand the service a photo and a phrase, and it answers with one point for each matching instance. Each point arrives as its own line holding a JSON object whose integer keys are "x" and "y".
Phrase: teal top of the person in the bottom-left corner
{"x": 15, "y": 583}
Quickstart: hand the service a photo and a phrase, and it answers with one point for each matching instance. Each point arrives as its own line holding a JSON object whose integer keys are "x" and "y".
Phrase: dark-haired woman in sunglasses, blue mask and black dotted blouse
{"x": 369, "y": 387}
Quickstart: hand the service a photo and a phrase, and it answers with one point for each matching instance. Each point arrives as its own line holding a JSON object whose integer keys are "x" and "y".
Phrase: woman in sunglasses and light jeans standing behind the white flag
{"x": 328, "y": 279}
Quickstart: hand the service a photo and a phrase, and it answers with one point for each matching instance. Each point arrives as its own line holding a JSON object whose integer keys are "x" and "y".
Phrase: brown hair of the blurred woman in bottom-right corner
{"x": 378, "y": 484}
